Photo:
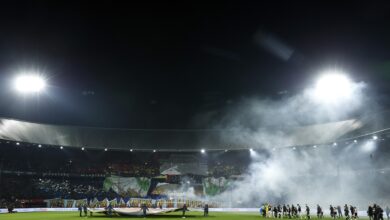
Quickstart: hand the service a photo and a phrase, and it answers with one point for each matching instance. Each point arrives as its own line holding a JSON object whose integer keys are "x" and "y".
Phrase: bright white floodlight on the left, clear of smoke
{"x": 29, "y": 83}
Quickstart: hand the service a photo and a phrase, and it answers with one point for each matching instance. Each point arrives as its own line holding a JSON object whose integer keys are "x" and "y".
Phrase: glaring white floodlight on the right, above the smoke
{"x": 333, "y": 86}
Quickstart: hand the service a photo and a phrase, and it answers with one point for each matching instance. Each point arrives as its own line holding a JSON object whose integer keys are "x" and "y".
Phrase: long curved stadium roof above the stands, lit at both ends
{"x": 170, "y": 140}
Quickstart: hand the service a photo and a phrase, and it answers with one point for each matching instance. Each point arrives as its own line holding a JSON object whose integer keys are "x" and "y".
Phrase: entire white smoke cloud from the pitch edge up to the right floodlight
{"x": 307, "y": 175}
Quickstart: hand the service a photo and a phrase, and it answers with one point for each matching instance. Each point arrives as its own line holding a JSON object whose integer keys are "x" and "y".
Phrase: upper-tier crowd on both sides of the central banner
{"x": 52, "y": 161}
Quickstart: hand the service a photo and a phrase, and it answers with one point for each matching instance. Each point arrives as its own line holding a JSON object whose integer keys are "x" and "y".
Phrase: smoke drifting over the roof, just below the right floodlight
{"x": 297, "y": 120}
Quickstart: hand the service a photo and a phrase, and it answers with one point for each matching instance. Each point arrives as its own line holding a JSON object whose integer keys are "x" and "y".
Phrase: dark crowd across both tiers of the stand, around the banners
{"x": 29, "y": 172}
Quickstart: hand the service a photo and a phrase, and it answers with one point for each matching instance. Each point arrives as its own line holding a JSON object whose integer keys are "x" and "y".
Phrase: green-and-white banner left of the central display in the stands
{"x": 127, "y": 186}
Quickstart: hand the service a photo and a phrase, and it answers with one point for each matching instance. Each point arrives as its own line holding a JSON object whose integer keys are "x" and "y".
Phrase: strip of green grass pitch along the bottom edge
{"x": 170, "y": 216}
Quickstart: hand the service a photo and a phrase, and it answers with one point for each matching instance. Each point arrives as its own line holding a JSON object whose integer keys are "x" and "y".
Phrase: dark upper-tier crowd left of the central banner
{"x": 53, "y": 161}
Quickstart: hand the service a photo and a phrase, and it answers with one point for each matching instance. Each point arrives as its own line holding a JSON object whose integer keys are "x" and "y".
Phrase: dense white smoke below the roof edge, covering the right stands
{"x": 324, "y": 175}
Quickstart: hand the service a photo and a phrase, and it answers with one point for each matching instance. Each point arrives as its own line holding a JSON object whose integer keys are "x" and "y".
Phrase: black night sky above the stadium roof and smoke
{"x": 132, "y": 65}
